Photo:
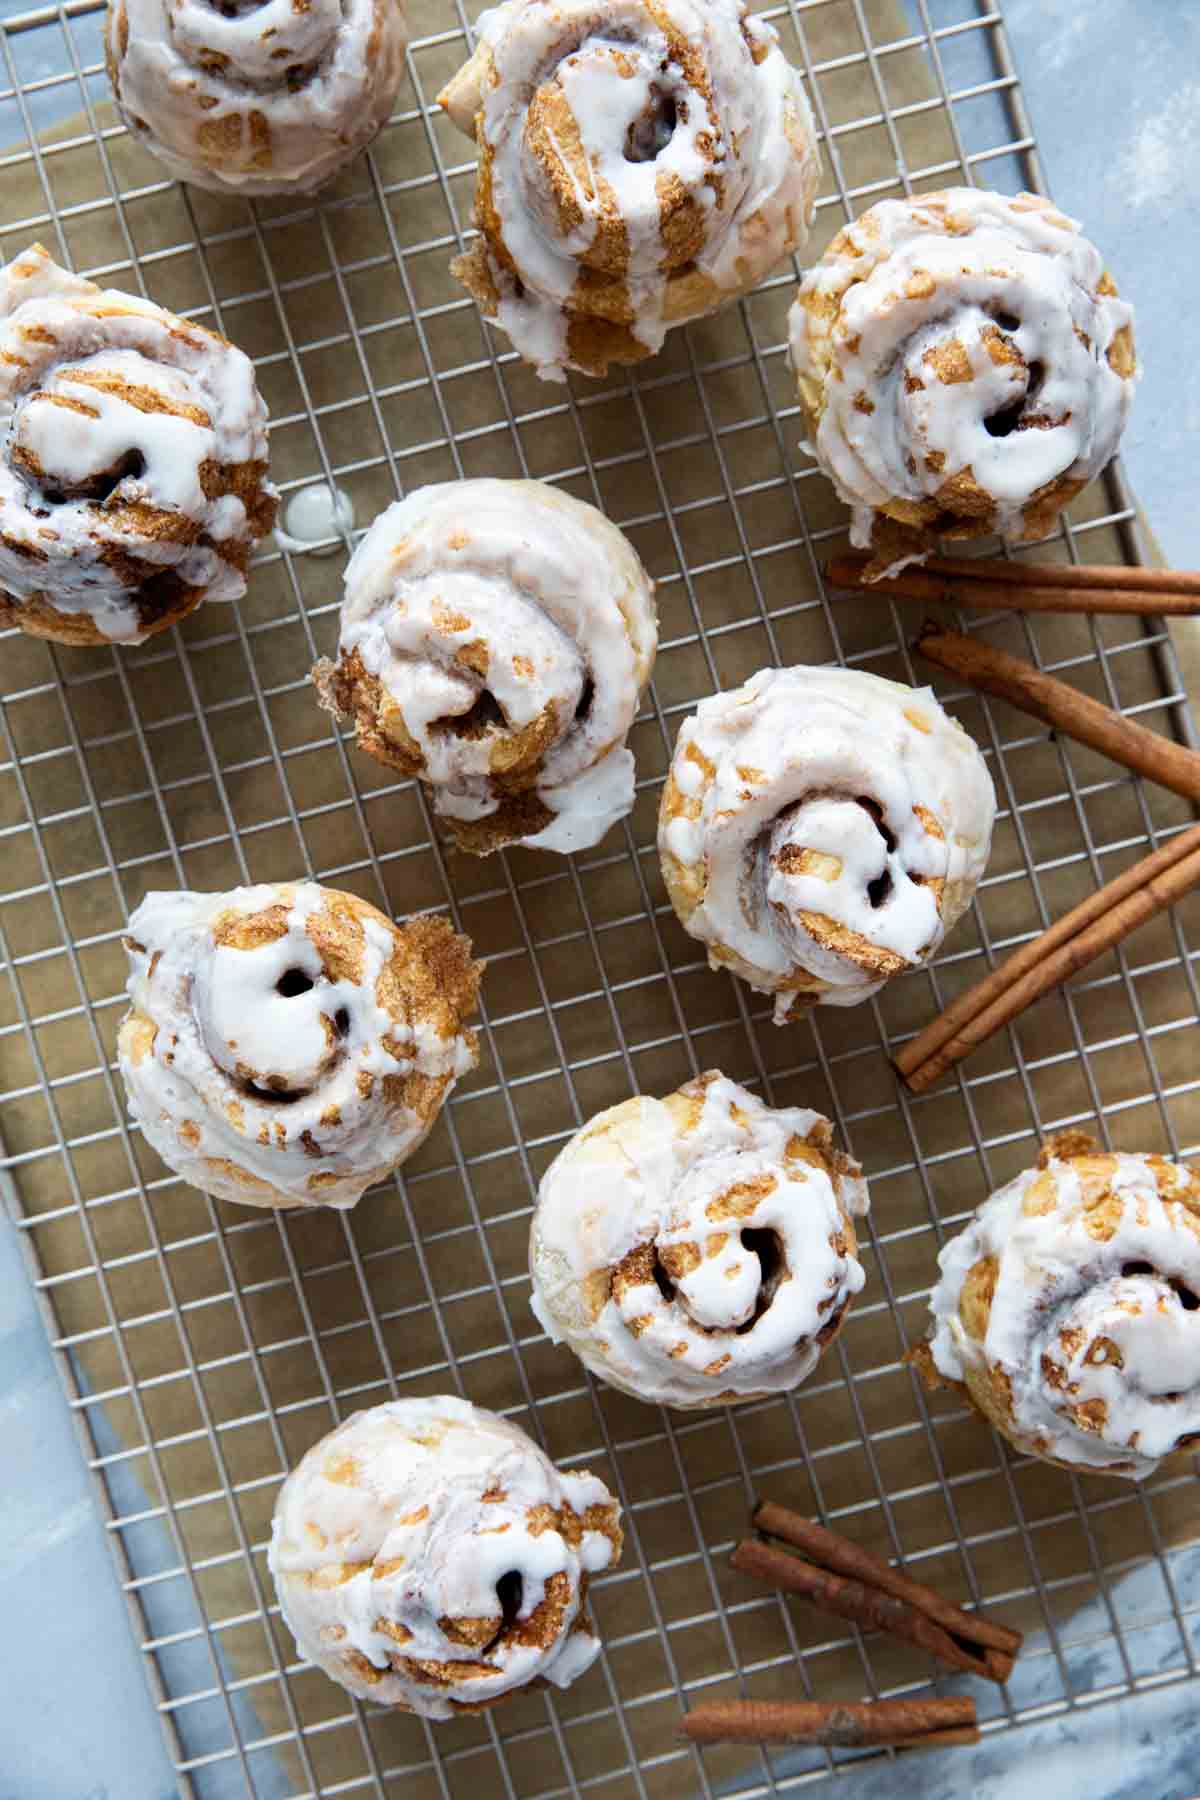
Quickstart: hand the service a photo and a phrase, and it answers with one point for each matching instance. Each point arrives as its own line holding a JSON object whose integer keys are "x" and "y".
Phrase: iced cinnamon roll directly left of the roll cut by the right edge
{"x": 699, "y": 1250}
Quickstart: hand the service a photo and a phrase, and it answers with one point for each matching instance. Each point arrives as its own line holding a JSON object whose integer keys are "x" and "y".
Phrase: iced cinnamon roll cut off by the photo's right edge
{"x": 1070, "y": 1309}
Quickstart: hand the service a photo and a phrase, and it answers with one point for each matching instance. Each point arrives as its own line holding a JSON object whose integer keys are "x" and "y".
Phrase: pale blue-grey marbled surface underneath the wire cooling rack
{"x": 1115, "y": 91}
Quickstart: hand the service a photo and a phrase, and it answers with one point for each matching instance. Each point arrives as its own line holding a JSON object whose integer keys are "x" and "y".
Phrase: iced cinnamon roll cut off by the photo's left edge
{"x": 132, "y": 460}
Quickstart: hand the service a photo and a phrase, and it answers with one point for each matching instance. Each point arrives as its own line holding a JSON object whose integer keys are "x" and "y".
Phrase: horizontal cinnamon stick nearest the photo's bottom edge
{"x": 854, "y": 1725}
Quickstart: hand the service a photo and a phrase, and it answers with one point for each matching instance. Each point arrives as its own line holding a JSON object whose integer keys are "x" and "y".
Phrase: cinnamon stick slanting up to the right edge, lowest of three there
{"x": 1039, "y": 967}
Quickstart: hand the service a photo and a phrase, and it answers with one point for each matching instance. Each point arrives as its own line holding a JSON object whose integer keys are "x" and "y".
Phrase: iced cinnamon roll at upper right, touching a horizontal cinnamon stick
{"x": 965, "y": 366}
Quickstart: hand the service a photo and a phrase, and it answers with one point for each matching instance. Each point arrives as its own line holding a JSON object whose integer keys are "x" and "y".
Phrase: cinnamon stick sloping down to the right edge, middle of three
{"x": 1064, "y": 708}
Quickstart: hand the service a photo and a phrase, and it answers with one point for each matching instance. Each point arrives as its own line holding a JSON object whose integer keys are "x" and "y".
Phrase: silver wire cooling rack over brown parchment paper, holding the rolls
{"x": 204, "y": 1347}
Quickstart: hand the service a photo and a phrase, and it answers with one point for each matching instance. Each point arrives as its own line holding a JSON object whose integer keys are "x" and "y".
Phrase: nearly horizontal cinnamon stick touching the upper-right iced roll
{"x": 1028, "y": 588}
